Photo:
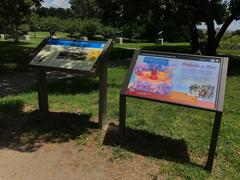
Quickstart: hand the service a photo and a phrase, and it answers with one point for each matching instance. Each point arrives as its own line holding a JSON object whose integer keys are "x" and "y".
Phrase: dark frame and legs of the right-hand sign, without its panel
{"x": 219, "y": 98}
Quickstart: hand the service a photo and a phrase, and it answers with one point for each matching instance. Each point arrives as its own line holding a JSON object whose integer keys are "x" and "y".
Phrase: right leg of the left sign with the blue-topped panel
{"x": 102, "y": 92}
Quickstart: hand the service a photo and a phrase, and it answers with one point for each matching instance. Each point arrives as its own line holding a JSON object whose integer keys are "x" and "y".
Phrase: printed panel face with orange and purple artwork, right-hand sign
{"x": 192, "y": 82}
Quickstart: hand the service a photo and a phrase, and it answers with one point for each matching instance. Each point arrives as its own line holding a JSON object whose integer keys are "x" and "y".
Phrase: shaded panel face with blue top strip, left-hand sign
{"x": 68, "y": 54}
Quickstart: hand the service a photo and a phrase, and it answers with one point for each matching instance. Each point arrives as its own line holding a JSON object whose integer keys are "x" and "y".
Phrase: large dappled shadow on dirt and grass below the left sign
{"x": 27, "y": 132}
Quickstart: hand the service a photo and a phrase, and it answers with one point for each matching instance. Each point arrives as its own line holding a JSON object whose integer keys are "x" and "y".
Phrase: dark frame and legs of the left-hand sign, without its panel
{"x": 99, "y": 69}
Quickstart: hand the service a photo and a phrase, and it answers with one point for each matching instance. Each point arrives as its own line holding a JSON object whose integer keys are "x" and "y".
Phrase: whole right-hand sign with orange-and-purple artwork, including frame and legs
{"x": 186, "y": 80}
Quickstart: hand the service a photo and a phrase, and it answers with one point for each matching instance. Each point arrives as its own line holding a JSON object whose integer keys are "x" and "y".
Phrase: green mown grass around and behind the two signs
{"x": 175, "y": 138}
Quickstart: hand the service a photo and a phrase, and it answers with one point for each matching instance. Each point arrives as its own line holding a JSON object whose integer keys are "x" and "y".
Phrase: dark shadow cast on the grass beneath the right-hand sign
{"x": 148, "y": 144}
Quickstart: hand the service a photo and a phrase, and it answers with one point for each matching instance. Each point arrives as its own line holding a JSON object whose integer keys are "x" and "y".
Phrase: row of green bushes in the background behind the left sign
{"x": 74, "y": 27}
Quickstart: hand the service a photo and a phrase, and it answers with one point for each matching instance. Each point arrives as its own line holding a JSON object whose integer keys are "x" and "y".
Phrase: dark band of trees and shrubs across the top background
{"x": 177, "y": 19}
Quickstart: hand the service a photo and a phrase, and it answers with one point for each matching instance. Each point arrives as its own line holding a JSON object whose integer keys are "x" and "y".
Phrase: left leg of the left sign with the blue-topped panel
{"x": 42, "y": 93}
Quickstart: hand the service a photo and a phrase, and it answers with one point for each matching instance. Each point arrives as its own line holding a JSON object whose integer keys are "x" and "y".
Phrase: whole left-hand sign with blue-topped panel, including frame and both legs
{"x": 72, "y": 56}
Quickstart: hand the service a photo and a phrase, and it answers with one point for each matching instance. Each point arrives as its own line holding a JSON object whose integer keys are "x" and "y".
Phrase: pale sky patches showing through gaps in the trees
{"x": 65, "y": 4}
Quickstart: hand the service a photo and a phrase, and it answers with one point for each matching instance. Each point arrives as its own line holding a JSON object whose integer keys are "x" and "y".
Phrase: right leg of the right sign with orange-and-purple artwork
{"x": 214, "y": 139}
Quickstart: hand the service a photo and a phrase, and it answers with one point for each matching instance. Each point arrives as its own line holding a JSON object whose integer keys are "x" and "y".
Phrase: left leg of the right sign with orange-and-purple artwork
{"x": 122, "y": 118}
